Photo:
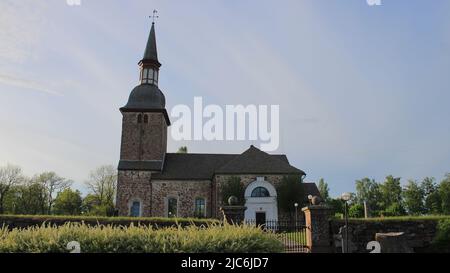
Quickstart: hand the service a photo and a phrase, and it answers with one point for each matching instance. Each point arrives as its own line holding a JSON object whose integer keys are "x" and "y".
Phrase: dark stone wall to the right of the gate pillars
{"x": 418, "y": 233}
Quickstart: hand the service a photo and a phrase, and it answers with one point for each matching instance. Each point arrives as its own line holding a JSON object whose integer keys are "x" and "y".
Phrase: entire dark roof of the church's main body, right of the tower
{"x": 178, "y": 166}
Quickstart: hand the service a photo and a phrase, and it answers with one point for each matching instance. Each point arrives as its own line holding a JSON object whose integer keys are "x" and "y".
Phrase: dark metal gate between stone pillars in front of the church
{"x": 290, "y": 233}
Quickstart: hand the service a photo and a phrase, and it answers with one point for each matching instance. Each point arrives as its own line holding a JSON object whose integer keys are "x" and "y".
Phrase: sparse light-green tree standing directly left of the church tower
{"x": 102, "y": 184}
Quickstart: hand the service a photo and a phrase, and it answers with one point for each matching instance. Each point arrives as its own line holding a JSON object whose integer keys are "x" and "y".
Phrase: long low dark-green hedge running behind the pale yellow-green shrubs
{"x": 24, "y": 221}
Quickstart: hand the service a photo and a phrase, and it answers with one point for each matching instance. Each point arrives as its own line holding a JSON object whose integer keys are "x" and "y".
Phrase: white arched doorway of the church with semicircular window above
{"x": 261, "y": 202}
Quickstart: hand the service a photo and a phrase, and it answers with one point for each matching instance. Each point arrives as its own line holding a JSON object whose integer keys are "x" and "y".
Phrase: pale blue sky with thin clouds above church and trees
{"x": 363, "y": 90}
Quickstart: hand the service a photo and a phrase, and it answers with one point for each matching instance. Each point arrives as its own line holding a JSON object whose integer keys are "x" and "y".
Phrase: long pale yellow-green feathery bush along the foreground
{"x": 139, "y": 239}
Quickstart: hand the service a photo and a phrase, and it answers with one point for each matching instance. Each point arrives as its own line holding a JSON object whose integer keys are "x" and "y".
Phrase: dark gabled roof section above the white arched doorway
{"x": 256, "y": 161}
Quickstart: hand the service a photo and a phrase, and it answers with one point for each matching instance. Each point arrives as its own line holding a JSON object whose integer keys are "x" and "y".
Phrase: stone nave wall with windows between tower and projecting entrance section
{"x": 185, "y": 191}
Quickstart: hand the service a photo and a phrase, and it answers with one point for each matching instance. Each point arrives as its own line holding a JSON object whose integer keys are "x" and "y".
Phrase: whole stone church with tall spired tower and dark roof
{"x": 154, "y": 183}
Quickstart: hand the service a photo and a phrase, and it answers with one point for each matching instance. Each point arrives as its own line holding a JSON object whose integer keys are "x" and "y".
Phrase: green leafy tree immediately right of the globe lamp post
{"x": 368, "y": 190}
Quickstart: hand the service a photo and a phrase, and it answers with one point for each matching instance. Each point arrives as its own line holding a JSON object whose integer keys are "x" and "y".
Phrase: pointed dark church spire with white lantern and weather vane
{"x": 149, "y": 65}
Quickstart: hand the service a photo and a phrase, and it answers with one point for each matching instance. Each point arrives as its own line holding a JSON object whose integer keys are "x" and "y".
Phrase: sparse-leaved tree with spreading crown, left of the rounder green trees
{"x": 53, "y": 185}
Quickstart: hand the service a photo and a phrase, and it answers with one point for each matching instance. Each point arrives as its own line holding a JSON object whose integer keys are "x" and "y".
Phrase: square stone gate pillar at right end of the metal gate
{"x": 318, "y": 235}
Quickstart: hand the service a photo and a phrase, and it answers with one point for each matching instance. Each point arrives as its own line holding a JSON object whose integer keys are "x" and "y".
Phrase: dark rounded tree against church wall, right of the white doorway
{"x": 289, "y": 192}
